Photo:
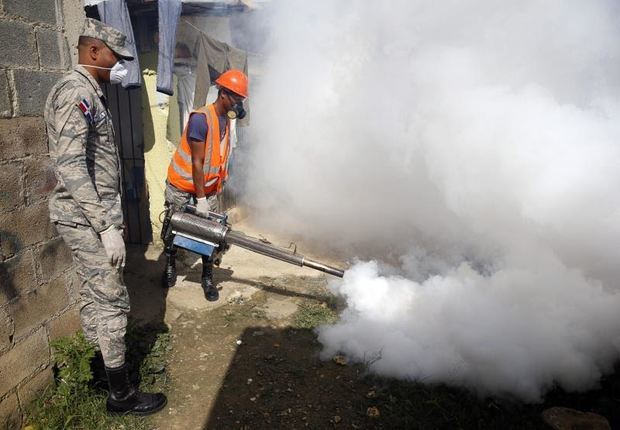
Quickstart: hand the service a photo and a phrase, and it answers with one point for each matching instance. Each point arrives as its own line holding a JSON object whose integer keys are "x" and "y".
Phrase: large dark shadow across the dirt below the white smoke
{"x": 276, "y": 380}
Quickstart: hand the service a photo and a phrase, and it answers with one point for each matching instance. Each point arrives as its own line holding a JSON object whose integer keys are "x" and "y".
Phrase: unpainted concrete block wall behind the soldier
{"x": 38, "y": 288}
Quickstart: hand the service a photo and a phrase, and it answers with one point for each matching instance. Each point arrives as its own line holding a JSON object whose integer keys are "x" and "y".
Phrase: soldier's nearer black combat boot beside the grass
{"x": 124, "y": 398}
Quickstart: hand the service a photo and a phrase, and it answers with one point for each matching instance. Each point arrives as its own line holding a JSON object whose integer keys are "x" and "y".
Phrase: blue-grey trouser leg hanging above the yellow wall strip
{"x": 169, "y": 12}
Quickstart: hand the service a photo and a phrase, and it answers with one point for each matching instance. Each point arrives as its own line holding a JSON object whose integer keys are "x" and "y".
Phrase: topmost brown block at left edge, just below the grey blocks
{"x": 22, "y": 136}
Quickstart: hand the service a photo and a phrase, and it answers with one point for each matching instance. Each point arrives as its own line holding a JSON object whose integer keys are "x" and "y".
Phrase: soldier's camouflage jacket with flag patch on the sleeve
{"x": 84, "y": 153}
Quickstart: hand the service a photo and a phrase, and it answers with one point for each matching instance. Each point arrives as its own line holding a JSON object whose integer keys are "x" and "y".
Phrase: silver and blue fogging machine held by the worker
{"x": 206, "y": 235}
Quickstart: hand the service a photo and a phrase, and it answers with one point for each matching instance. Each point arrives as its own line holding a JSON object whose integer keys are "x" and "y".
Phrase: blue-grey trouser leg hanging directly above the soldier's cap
{"x": 115, "y": 13}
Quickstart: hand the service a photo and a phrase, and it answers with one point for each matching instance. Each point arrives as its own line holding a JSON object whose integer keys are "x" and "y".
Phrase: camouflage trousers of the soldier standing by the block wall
{"x": 104, "y": 301}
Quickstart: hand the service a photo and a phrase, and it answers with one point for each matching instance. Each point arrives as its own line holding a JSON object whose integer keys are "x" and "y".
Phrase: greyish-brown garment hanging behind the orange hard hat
{"x": 214, "y": 58}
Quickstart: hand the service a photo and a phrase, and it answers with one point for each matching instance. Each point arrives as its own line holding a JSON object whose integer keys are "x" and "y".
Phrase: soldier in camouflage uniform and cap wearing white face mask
{"x": 85, "y": 205}
